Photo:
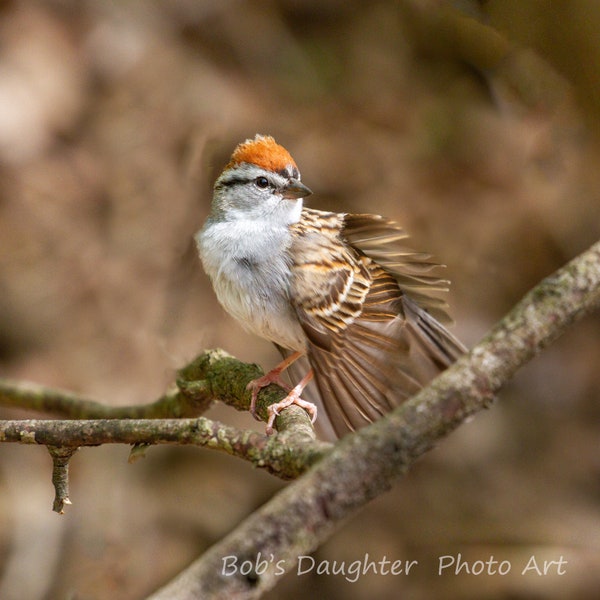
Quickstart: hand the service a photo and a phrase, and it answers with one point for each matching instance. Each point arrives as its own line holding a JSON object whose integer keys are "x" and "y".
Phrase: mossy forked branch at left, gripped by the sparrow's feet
{"x": 214, "y": 375}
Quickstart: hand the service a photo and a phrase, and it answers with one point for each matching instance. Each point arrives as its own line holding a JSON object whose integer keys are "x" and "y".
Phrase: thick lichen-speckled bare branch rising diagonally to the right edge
{"x": 362, "y": 466}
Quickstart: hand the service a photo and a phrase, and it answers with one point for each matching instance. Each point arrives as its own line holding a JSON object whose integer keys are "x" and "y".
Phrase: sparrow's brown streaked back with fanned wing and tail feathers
{"x": 365, "y": 310}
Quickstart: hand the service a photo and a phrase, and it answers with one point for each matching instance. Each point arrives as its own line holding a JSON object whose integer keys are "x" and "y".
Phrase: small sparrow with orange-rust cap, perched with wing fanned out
{"x": 340, "y": 290}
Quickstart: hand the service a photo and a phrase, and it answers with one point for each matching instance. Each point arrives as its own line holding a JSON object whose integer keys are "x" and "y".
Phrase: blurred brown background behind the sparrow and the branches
{"x": 475, "y": 124}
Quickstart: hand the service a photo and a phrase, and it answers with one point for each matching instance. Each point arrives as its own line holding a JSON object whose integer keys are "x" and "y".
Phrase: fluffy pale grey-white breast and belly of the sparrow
{"x": 248, "y": 266}
